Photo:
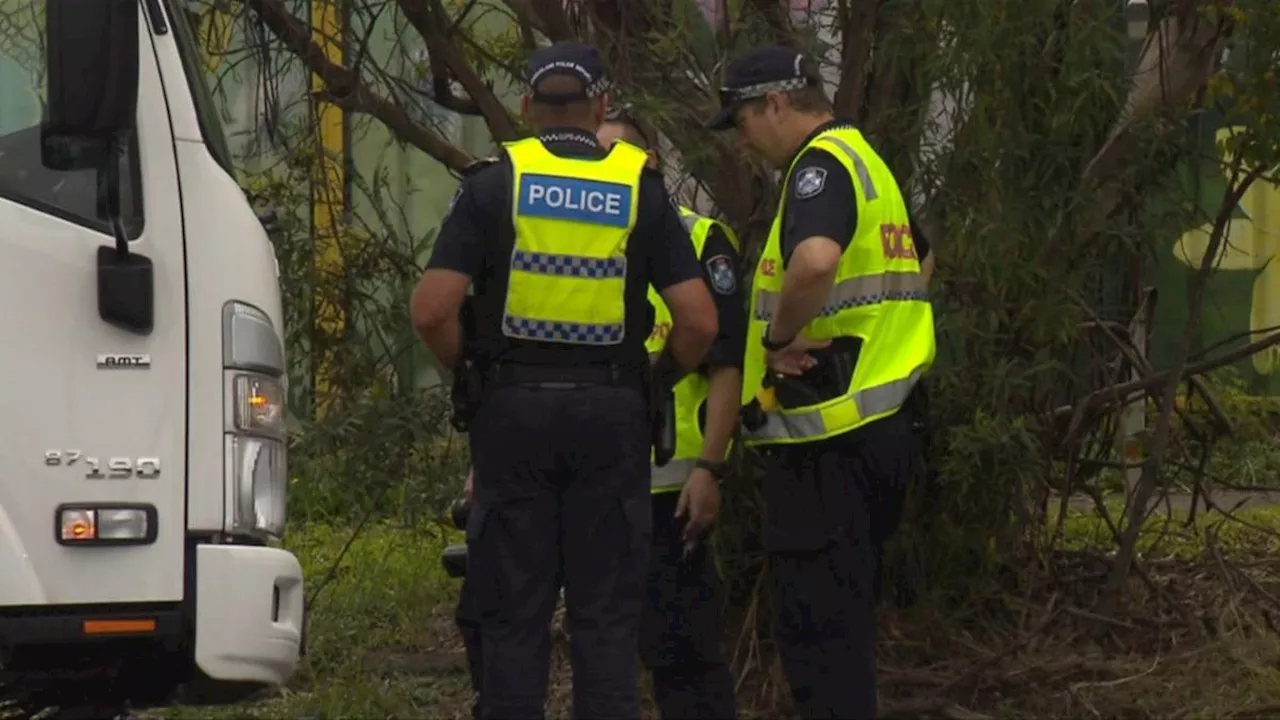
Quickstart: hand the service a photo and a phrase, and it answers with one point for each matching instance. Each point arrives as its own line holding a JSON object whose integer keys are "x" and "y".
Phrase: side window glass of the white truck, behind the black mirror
{"x": 71, "y": 195}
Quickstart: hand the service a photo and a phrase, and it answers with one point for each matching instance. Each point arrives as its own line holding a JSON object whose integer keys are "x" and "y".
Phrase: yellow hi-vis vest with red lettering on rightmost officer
{"x": 879, "y": 297}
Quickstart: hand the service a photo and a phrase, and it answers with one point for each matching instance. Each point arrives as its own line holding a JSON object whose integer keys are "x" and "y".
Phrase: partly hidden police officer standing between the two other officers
{"x": 682, "y": 623}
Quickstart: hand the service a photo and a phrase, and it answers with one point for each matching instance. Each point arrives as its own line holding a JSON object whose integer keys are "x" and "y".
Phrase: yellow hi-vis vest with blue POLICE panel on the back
{"x": 569, "y": 266}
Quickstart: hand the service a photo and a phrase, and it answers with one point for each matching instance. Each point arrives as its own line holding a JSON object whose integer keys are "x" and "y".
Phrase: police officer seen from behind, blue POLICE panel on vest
{"x": 561, "y": 241}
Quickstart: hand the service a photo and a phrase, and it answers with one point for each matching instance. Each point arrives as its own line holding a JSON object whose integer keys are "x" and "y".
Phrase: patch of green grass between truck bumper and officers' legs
{"x": 381, "y": 636}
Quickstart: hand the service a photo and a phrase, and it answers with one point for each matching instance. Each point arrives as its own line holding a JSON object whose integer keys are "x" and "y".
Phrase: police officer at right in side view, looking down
{"x": 840, "y": 331}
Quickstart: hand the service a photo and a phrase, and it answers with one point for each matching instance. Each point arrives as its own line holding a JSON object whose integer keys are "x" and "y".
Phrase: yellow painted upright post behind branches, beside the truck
{"x": 328, "y": 202}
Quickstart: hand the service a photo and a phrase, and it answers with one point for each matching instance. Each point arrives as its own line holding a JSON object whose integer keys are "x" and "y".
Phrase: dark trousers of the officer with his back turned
{"x": 563, "y": 490}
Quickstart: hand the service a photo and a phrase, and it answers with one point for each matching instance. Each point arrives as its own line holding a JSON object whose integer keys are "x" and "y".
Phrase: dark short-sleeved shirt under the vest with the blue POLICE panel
{"x": 478, "y": 236}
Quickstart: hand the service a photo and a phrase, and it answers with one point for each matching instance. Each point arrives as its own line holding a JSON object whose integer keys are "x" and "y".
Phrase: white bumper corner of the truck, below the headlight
{"x": 249, "y": 613}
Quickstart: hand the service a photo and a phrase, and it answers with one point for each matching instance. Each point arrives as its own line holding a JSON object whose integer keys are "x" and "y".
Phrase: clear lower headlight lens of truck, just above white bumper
{"x": 258, "y": 482}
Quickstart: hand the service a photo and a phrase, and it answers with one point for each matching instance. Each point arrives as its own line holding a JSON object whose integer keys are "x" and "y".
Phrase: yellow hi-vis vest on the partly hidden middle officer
{"x": 693, "y": 390}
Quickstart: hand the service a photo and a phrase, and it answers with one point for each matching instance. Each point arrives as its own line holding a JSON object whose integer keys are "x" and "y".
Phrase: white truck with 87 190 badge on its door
{"x": 144, "y": 461}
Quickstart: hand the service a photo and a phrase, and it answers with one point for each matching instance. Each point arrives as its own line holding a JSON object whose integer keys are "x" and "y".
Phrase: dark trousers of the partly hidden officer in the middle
{"x": 682, "y": 625}
